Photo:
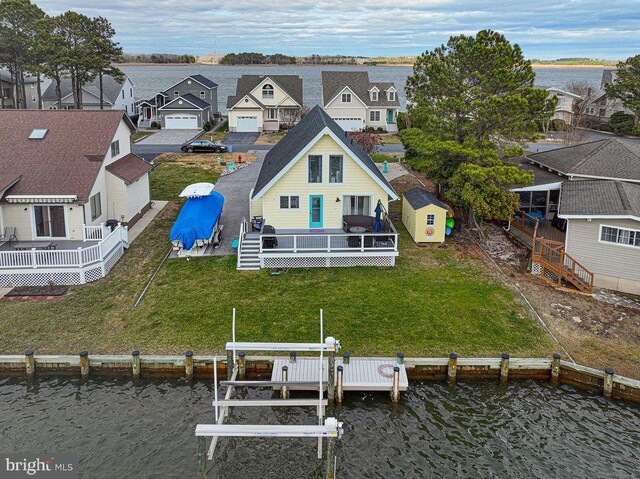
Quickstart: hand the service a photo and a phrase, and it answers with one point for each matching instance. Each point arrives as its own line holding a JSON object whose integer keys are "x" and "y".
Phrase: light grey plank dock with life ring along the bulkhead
{"x": 360, "y": 374}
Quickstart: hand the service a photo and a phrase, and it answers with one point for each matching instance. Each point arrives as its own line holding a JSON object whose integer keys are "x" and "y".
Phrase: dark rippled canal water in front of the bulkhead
{"x": 472, "y": 430}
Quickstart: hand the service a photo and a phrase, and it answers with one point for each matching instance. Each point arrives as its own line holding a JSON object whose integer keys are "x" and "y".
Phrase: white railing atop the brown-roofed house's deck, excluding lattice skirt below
{"x": 70, "y": 258}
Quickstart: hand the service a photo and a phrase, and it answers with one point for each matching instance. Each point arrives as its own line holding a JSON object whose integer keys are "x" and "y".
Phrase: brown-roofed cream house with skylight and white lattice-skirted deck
{"x": 58, "y": 190}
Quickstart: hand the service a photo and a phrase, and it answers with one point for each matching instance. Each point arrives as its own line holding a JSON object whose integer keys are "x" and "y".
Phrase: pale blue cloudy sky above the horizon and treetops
{"x": 544, "y": 29}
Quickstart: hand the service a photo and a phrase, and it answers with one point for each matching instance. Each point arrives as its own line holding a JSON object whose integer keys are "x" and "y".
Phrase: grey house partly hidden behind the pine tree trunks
{"x": 115, "y": 95}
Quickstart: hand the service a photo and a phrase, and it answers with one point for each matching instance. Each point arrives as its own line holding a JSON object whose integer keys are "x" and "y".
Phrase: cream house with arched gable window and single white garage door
{"x": 265, "y": 103}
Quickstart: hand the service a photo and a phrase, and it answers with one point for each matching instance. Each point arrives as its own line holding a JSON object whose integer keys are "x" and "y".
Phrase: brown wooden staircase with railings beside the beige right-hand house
{"x": 559, "y": 267}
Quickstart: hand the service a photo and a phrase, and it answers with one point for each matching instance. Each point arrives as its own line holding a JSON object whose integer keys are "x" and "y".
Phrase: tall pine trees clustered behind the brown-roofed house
{"x": 70, "y": 45}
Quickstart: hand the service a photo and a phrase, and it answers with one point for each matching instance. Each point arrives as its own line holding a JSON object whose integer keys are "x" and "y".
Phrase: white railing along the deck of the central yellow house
{"x": 330, "y": 243}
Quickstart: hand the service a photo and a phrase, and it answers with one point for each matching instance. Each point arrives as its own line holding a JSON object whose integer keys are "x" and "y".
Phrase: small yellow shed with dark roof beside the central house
{"x": 424, "y": 216}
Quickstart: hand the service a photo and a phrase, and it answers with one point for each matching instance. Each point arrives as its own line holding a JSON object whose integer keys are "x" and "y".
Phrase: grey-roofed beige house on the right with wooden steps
{"x": 595, "y": 188}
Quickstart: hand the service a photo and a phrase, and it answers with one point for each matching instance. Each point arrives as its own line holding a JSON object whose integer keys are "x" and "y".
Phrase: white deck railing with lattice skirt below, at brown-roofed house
{"x": 72, "y": 266}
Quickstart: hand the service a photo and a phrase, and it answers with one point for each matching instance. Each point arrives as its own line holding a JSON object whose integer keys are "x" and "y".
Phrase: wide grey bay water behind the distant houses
{"x": 151, "y": 79}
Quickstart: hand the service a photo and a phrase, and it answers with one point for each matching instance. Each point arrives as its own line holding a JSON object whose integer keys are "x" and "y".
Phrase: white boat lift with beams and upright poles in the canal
{"x": 329, "y": 428}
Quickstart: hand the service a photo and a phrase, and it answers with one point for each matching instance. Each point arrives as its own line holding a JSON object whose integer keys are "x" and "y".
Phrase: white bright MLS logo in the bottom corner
{"x": 56, "y": 466}
